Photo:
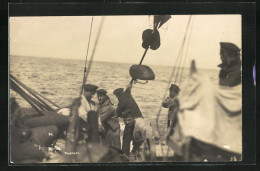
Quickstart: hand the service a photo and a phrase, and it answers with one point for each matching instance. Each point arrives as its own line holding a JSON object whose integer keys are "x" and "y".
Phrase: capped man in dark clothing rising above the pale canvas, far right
{"x": 230, "y": 73}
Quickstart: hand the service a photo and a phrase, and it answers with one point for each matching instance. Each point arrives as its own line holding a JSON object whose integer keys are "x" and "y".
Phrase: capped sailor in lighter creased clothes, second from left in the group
{"x": 109, "y": 120}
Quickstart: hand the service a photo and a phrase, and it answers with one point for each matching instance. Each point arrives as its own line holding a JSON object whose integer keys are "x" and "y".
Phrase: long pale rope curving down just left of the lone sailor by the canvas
{"x": 169, "y": 82}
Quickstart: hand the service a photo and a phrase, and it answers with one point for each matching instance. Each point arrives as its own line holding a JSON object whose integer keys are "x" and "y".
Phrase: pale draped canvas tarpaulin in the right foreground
{"x": 208, "y": 113}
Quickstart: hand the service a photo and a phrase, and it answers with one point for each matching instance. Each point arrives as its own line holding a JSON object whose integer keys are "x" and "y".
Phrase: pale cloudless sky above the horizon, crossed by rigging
{"x": 120, "y": 39}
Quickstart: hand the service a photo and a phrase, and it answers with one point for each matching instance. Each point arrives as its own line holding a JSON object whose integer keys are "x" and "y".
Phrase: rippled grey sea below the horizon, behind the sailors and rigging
{"x": 60, "y": 80}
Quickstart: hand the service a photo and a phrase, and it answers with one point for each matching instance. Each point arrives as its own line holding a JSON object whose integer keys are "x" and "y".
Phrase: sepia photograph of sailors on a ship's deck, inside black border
{"x": 125, "y": 89}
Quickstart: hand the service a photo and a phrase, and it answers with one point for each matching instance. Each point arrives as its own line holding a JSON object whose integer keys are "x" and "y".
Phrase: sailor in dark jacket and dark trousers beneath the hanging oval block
{"x": 128, "y": 110}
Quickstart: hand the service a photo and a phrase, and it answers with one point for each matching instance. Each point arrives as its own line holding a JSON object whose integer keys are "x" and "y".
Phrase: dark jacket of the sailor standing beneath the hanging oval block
{"x": 127, "y": 106}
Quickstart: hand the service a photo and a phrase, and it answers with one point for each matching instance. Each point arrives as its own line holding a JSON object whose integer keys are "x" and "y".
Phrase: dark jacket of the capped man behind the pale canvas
{"x": 230, "y": 75}
